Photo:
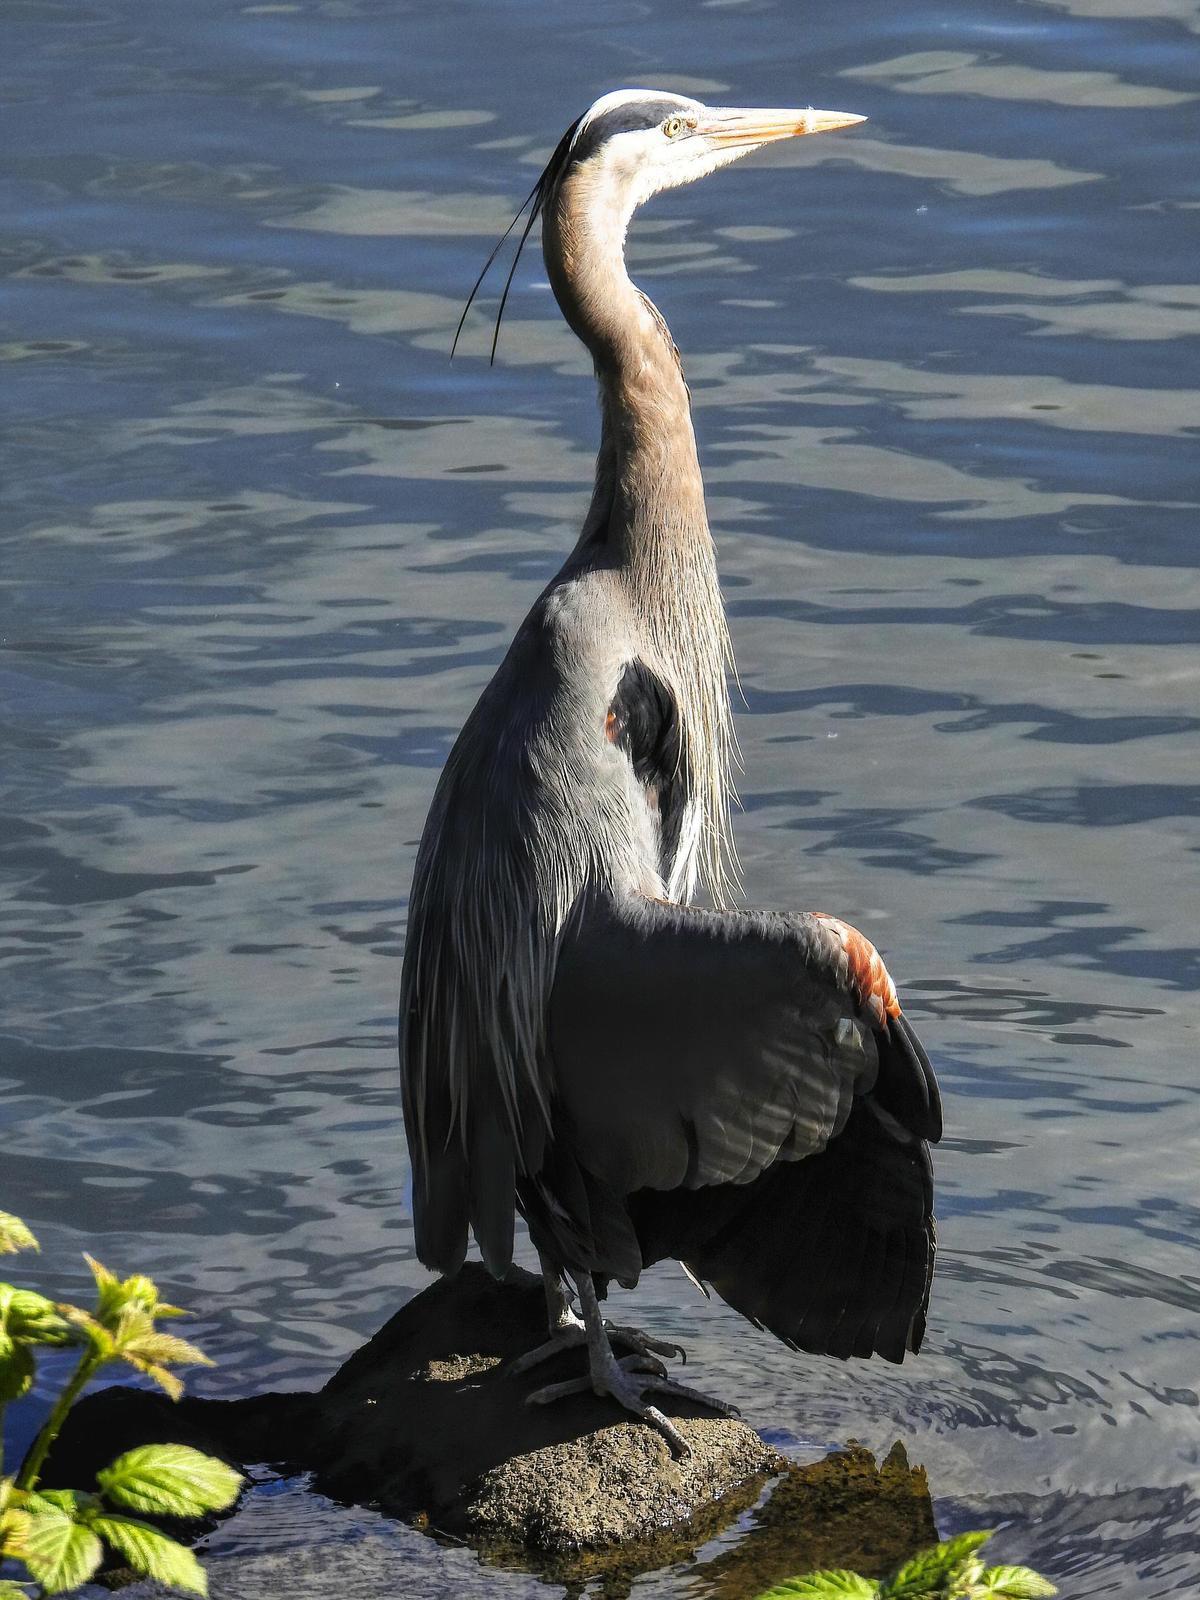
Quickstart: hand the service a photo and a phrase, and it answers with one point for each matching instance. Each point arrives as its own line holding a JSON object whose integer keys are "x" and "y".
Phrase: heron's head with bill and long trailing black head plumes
{"x": 630, "y": 146}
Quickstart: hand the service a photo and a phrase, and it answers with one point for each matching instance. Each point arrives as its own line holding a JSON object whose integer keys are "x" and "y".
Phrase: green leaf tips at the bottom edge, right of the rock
{"x": 948, "y": 1572}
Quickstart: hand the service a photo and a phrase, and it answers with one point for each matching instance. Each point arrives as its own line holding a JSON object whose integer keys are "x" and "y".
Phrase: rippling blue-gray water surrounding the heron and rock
{"x": 263, "y": 545}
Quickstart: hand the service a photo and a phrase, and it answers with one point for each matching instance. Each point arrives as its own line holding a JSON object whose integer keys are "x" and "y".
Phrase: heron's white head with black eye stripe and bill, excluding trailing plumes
{"x": 634, "y": 143}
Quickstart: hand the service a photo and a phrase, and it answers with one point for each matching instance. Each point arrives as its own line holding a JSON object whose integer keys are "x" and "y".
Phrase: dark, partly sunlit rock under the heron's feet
{"x": 430, "y": 1425}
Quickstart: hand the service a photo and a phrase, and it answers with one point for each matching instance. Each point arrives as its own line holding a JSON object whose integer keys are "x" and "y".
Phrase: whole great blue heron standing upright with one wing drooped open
{"x": 641, "y": 1079}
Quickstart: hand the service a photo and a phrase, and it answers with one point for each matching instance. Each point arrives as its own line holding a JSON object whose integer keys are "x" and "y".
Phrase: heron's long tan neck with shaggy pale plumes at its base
{"x": 647, "y": 510}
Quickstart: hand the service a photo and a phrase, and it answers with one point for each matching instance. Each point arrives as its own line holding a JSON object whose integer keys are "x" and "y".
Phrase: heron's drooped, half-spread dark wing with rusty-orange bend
{"x": 743, "y": 1094}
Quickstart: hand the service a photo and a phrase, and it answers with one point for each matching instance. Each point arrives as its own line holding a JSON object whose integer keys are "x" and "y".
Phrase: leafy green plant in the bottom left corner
{"x": 58, "y": 1537}
